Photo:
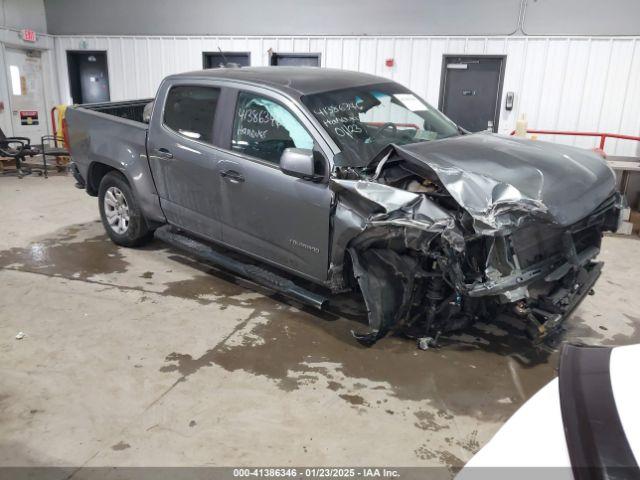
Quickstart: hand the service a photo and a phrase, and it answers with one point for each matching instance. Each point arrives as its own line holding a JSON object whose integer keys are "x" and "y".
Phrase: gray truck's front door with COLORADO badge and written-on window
{"x": 266, "y": 213}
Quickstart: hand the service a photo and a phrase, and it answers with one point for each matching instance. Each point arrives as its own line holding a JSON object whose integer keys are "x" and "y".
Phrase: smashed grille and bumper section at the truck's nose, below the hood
{"x": 540, "y": 272}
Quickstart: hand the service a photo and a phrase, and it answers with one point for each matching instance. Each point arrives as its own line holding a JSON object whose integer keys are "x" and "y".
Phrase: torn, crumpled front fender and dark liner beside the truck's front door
{"x": 385, "y": 217}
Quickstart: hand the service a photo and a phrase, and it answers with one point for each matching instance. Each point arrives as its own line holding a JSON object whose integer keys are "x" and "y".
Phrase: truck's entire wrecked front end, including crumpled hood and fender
{"x": 446, "y": 240}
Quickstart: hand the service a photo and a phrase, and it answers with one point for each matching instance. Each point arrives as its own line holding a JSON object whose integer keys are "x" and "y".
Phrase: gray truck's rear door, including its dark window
{"x": 183, "y": 156}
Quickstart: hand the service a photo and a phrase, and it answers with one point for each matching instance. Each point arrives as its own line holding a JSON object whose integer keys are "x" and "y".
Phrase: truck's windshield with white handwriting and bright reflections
{"x": 363, "y": 120}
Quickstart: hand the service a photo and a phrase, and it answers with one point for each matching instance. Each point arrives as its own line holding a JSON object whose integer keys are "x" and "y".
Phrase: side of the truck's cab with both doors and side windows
{"x": 214, "y": 149}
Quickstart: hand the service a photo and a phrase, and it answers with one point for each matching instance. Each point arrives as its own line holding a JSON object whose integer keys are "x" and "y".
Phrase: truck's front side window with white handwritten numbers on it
{"x": 264, "y": 128}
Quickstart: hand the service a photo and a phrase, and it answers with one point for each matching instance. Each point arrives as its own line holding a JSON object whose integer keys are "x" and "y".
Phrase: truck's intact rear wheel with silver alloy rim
{"x": 120, "y": 213}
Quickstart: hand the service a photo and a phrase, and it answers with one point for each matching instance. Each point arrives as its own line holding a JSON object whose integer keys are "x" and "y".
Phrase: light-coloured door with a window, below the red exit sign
{"x": 26, "y": 94}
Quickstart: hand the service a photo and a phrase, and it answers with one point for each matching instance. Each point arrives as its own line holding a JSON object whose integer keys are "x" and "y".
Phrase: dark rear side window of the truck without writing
{"x": 190, "y": 110}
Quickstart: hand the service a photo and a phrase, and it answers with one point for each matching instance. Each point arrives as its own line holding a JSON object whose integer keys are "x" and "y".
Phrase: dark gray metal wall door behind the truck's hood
{"x": 470, "y": 91}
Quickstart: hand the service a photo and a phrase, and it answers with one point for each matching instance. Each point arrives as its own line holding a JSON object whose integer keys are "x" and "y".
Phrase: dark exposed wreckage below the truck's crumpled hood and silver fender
{"x": 426, "y": 292}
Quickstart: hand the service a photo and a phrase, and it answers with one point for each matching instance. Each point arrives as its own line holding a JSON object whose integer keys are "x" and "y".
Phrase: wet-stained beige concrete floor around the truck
{"x": 144, "y": 358}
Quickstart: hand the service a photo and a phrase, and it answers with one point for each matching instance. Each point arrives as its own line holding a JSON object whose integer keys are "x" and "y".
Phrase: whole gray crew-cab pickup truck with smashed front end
{"x": 348, "y": 181}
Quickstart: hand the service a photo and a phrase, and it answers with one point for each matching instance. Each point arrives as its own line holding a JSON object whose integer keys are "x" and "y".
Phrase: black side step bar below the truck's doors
{"x": 254, "y": 273}
